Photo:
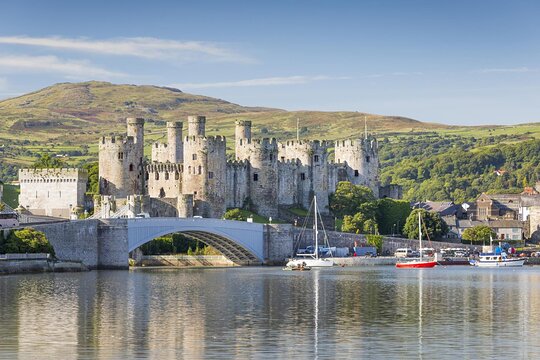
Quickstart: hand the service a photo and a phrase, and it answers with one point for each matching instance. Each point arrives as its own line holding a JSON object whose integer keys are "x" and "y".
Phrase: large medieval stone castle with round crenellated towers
{"x": 191, "y": 175}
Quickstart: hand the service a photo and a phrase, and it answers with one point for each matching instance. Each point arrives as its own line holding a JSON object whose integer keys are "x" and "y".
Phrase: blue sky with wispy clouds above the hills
{"x": 454, "y": 62}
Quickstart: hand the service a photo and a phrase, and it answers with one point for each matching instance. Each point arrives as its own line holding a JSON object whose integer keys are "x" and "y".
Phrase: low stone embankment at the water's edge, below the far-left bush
{"x": 36, "y": 263}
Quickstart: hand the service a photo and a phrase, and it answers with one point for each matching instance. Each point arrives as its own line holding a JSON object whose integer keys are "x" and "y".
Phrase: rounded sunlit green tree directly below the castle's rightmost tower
{"x": 348, "y": 199}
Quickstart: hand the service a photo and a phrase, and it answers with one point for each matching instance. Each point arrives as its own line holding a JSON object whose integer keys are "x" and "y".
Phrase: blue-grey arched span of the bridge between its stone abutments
{"x": 240, "y": 242}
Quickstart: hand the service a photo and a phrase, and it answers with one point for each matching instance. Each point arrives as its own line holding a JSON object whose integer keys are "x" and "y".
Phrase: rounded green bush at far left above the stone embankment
{"x": 26, "y": 241}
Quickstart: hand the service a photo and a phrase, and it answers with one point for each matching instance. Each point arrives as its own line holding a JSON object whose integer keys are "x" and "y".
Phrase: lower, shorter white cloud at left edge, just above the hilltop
{"x": 51, "y": 64}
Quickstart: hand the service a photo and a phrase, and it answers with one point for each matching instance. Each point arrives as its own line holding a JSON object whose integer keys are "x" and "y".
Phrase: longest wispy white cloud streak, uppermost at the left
{"x": 142, "y": 47}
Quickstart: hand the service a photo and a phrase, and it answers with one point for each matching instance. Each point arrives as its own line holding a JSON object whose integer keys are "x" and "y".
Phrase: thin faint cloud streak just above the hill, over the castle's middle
{"x": 272, "y": 81}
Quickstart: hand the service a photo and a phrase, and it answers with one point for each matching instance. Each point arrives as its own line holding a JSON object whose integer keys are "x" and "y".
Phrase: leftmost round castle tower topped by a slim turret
{"x": 121, "y": 170}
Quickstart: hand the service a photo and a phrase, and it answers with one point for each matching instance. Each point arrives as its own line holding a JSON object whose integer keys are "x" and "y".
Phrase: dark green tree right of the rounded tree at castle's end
{"x": 391, "y": 215}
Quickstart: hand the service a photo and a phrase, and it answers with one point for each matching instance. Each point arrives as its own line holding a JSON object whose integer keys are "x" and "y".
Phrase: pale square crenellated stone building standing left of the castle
{"x": 52, "y": 192}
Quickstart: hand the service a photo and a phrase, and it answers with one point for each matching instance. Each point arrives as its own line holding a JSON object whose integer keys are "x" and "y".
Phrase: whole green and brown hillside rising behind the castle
{"x": 68, "y": 119}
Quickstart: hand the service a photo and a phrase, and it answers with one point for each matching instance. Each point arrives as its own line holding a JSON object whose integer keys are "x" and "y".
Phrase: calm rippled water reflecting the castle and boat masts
{"x": 250, "y": 313}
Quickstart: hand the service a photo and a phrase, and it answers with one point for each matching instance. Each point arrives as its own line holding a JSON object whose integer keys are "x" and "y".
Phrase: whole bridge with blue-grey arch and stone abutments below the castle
{"x": 106, "y": 243}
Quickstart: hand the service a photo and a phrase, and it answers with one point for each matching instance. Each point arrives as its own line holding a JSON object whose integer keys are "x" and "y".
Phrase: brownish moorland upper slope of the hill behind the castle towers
{"x": 102, "y": 108}
